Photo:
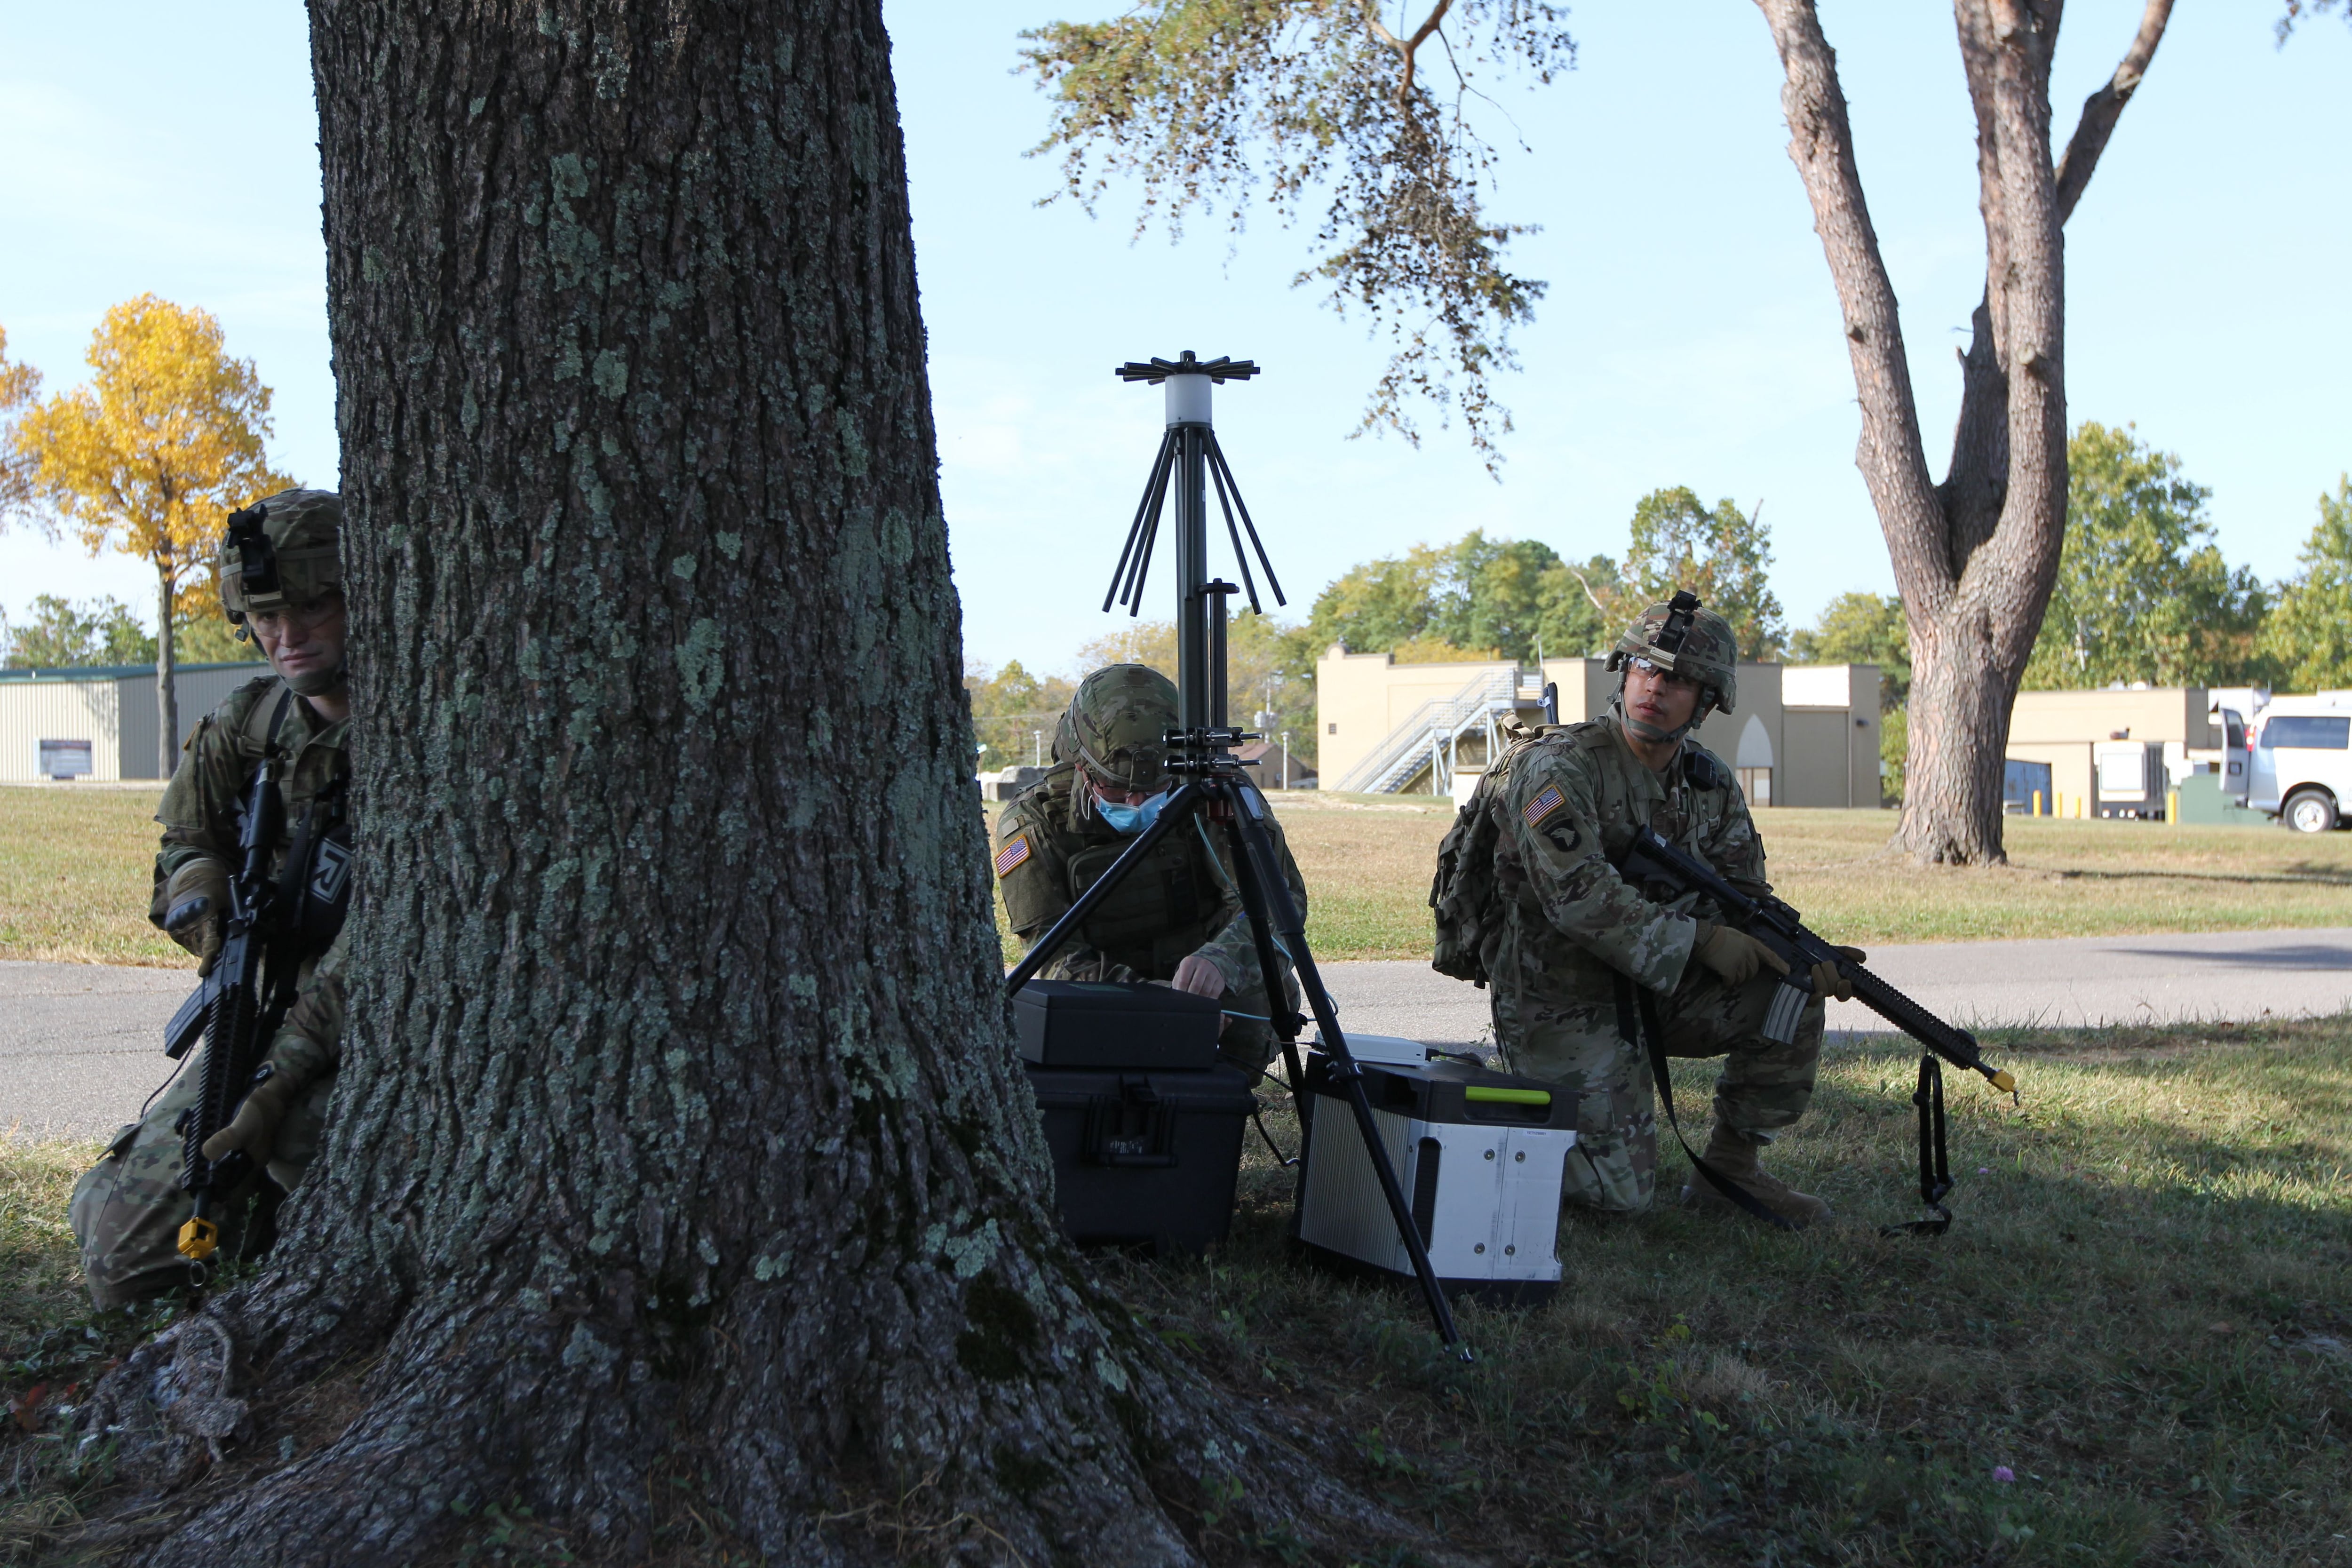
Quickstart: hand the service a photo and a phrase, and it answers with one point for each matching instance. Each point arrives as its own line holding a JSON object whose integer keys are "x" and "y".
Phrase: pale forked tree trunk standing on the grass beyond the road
{"x": 1975, "y": 556}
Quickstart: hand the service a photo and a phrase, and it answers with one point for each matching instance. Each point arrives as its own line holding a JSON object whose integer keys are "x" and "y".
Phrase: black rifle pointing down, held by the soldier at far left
{"x": 232, "y": 1014}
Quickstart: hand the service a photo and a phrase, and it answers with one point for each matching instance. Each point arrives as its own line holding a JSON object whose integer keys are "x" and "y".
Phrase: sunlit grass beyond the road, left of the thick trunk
{"x": 76, "y": 876}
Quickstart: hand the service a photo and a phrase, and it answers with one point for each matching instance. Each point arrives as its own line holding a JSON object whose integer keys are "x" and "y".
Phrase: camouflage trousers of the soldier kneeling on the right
{"x": 1577, "y": 1045}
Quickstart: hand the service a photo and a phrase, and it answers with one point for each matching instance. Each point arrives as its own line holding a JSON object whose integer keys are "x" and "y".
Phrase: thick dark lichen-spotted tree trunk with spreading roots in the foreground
{"x": 681, "y": 1155}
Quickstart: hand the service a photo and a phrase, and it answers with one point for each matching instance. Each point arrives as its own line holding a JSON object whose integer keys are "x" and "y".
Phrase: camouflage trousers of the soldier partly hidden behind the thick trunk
{"x": 128, "y": 1207}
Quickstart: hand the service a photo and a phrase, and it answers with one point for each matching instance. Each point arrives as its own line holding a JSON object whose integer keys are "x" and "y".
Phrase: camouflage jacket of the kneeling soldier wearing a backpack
{"x": 1570, "y": 808}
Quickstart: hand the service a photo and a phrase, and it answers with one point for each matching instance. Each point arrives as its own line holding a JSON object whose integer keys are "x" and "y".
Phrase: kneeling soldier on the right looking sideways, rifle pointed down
{"x": 1577, "y": 937}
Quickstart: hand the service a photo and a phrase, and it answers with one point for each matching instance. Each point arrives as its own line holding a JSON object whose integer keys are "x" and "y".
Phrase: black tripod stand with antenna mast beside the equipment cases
{"x": 1215, "y": 784}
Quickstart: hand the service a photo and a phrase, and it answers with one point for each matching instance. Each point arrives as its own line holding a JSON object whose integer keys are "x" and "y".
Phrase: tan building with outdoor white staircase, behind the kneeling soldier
{"x": 1800, "y": 735}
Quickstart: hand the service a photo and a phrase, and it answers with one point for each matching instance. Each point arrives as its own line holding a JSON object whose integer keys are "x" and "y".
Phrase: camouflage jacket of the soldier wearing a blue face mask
{"x": 1177, "y": 904}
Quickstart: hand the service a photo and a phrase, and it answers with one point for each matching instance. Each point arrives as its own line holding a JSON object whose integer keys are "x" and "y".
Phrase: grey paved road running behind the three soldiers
{"x": 81, "y": 1043}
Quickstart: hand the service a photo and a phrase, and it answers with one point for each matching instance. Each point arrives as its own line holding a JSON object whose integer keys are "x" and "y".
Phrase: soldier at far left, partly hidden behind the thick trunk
{"x": 131, "y": 1207}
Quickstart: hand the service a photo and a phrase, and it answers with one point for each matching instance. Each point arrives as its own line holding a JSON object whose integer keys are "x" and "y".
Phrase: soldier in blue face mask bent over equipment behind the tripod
{"x": 1175, "y": 918}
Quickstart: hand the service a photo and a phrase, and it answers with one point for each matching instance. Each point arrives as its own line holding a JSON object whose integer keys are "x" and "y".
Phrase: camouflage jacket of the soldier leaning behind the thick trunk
{"x": 201, "y": 805}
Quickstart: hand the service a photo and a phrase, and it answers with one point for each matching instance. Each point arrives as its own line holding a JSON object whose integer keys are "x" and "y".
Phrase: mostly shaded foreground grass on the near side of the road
{"x": 2141, "y": 1311}
